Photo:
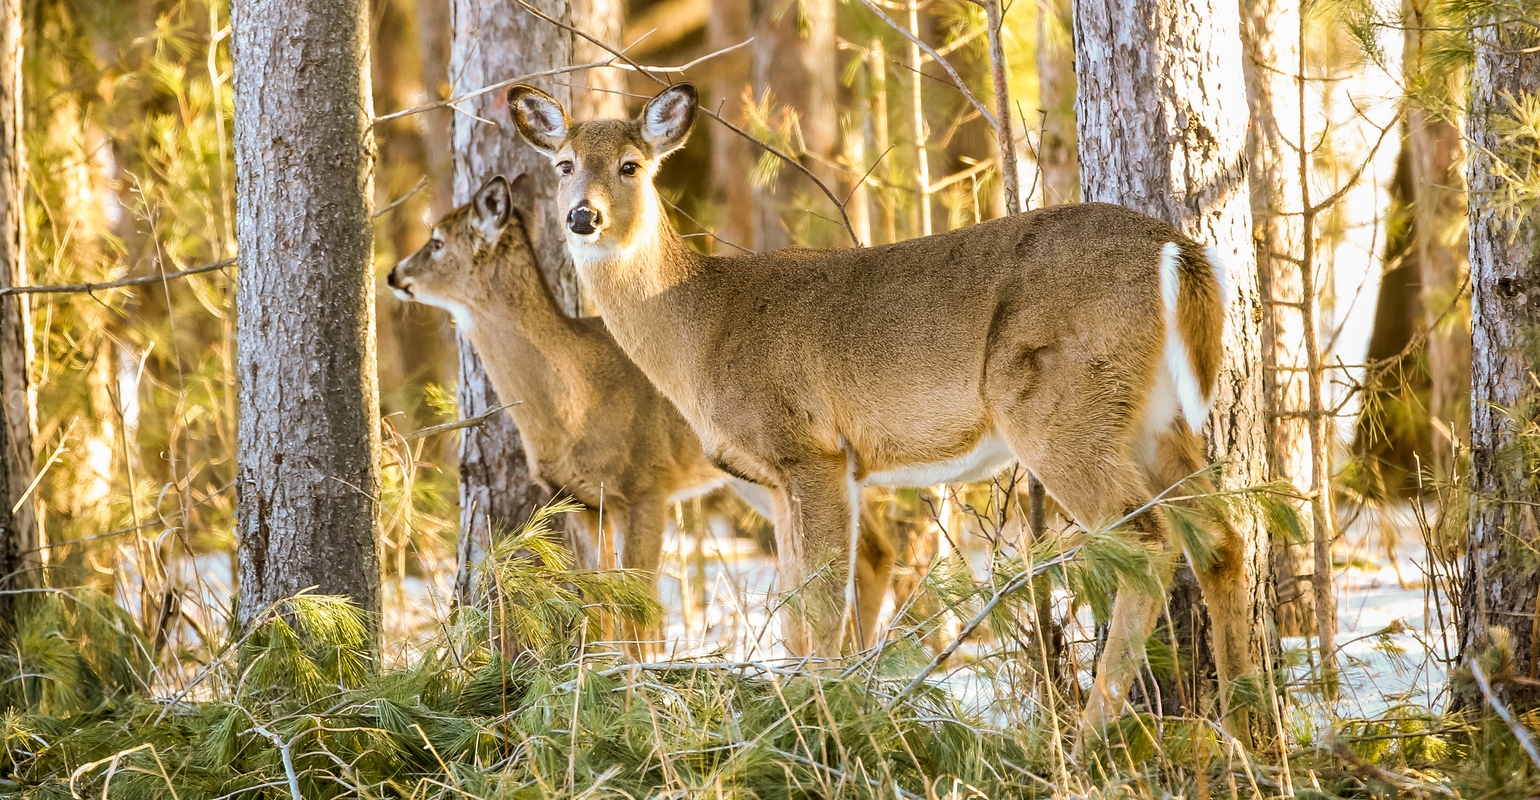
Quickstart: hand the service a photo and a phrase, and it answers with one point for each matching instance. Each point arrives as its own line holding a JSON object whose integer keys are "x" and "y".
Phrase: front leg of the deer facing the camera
{"x": 814, "y": 537}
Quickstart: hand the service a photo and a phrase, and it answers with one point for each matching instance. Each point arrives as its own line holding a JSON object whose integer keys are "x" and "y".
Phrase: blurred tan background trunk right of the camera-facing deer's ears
{"x": 794, "y": 59}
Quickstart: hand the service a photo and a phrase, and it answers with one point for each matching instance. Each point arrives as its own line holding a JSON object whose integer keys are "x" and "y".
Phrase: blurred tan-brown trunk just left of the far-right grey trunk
{"x": 1441, "y": 241}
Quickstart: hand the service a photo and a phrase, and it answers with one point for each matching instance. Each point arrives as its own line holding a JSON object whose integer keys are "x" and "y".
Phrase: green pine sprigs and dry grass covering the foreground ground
{"x": 526, "y": 702}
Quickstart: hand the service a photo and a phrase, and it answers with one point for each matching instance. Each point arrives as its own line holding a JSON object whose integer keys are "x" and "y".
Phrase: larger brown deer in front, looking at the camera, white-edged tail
{"x": 1080, "y": 341}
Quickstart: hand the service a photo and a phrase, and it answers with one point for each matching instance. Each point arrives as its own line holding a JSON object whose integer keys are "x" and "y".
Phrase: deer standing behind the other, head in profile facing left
{"x": 592, "y": 425}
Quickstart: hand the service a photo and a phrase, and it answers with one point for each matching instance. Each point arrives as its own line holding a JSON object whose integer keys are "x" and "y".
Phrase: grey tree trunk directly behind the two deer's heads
{"x": 494, "y": 42}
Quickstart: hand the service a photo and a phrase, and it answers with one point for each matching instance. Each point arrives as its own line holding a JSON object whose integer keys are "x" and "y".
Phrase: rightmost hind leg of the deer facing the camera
{"x": 1179, "y": 455}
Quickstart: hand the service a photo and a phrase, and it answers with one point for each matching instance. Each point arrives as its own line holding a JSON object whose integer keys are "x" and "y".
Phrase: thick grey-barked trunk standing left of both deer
{"x": 309, "y": 451}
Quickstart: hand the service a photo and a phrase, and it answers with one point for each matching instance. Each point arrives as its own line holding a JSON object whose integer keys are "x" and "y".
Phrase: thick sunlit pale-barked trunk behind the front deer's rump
{"x": 1159, "y": 133}
